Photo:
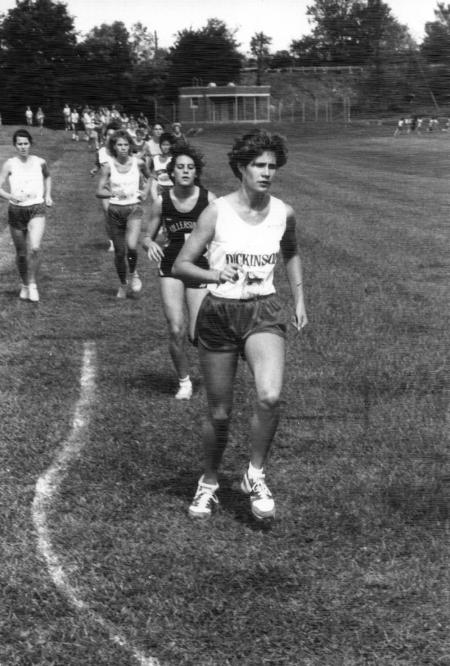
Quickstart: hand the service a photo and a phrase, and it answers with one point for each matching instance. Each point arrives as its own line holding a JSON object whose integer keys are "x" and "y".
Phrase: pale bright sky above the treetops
{"x": 283, "y": 20}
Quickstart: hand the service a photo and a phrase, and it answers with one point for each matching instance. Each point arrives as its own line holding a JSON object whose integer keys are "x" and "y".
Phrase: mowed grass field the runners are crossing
{"x": 355, "y": 568}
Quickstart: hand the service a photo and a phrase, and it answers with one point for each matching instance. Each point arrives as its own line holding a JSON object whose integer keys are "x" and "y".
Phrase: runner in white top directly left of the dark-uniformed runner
{"x": 120, "y": 182}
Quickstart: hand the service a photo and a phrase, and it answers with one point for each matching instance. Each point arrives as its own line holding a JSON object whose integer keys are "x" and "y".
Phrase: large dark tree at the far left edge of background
{"x": 38, "y": 43}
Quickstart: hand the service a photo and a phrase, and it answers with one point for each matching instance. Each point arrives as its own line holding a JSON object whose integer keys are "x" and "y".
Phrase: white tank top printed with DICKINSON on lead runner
{"x": 254, "y": 248}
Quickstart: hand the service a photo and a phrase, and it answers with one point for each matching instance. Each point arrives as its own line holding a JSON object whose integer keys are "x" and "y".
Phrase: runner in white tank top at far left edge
{"x": 29, "y": 184}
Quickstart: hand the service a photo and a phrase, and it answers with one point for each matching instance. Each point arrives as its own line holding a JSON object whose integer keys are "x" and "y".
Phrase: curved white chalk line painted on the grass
{"x": 47, "y": 487}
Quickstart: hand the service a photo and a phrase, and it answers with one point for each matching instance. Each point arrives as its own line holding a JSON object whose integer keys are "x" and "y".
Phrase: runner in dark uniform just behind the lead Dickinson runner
{"x": 178, "y": 209}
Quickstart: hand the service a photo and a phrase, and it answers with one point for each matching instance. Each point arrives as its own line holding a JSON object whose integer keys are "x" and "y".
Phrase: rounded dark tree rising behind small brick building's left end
{"x": 203, "y": 56}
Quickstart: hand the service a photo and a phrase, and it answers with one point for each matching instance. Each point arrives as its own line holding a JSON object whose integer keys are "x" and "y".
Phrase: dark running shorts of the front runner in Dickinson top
{"x": 224, "y": 324}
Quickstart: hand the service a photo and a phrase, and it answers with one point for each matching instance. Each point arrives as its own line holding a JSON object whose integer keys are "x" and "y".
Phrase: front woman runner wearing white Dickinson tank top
{"x": 244, "y": 232}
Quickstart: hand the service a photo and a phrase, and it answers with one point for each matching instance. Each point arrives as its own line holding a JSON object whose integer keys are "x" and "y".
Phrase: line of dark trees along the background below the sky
{"x": 43, "y": 61}
